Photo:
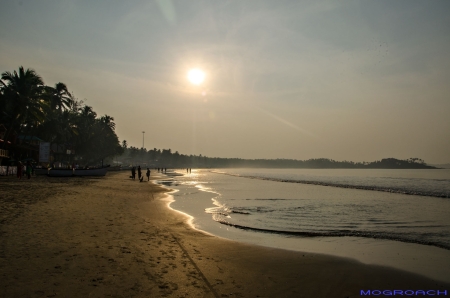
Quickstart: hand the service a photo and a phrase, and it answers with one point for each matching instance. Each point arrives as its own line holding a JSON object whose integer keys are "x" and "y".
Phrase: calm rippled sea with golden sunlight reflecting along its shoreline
{"x": 378, "y": 216}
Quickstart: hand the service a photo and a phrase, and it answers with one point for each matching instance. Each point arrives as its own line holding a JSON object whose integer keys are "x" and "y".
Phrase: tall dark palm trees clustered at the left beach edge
{"x": 51, "y": 113}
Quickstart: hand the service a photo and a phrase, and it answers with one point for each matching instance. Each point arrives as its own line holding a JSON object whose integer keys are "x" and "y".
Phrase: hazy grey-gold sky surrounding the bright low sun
{"x": 345, "y": 80}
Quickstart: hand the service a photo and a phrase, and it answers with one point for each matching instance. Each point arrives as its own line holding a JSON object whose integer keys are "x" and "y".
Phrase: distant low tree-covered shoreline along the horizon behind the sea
{"x": 165, "y": 158}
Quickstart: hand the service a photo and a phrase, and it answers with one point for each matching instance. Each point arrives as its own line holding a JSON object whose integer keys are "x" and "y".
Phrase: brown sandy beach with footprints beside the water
{"x": 114, "y": 237}
